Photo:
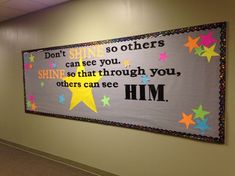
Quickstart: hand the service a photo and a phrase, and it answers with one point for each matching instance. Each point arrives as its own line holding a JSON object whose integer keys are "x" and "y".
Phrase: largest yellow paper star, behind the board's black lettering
{"x": 82, "y": 94}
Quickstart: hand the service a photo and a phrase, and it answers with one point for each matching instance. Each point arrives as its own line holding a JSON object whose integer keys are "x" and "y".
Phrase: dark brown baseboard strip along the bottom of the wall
{"x": 71, "y": 163}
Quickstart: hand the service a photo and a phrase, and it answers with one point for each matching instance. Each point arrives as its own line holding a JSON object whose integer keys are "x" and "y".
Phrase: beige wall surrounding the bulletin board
{"x": 118, "y": 150}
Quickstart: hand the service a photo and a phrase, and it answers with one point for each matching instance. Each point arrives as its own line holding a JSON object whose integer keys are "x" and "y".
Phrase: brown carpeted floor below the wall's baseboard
{"x": 15, "y": 162}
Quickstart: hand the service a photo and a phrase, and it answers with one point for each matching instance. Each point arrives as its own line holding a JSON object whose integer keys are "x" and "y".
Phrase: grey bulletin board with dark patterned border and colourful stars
{"x": 169, "y": 82}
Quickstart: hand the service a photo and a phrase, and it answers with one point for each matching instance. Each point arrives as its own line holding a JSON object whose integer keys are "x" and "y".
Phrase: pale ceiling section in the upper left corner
{"x": 14, "y": 8}
